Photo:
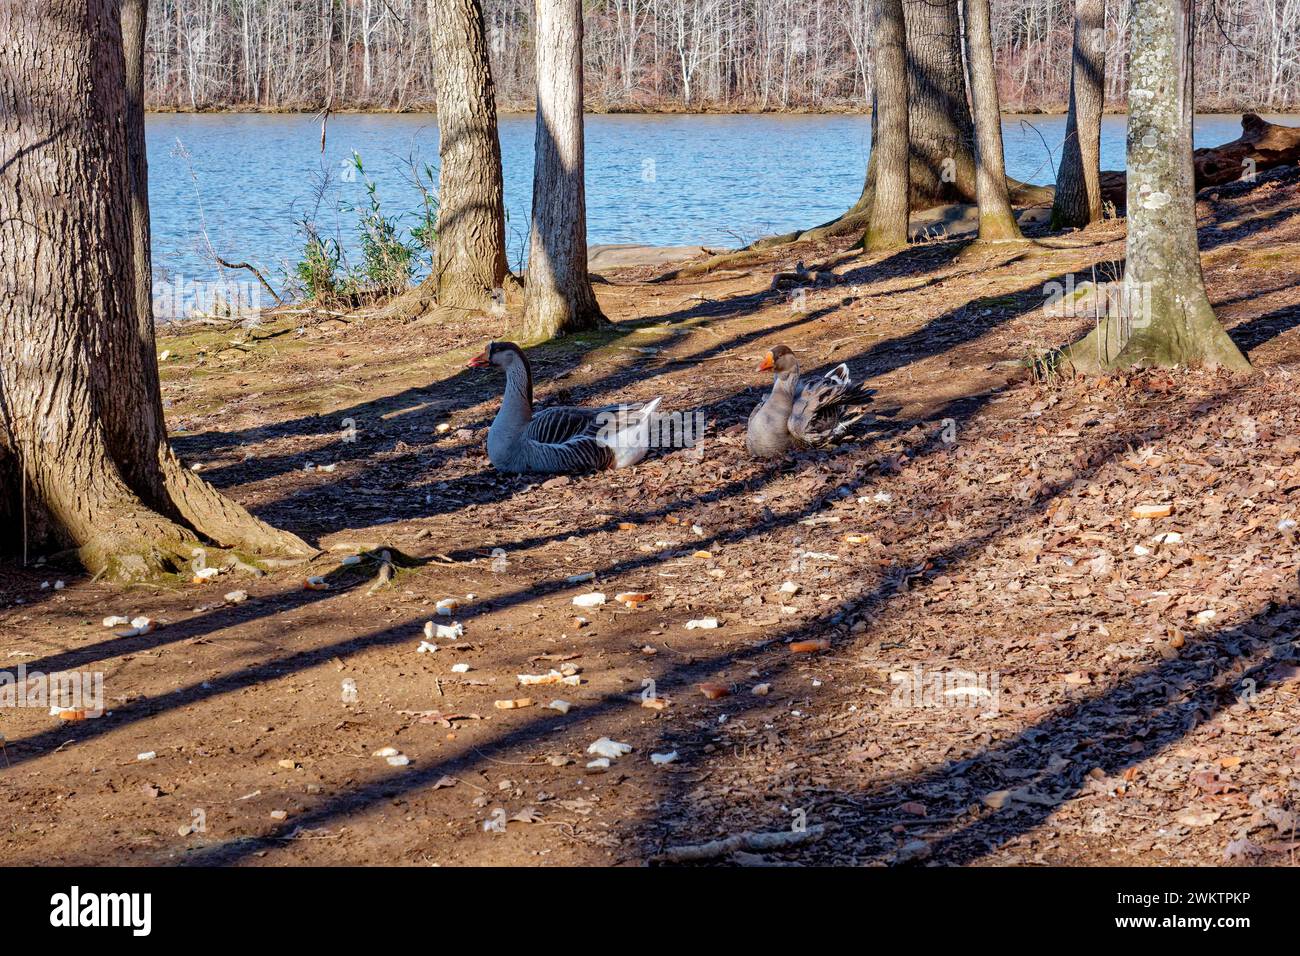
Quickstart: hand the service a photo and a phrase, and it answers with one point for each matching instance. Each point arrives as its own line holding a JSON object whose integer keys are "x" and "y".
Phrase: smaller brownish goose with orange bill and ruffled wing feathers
{"x": 801, "y": 414}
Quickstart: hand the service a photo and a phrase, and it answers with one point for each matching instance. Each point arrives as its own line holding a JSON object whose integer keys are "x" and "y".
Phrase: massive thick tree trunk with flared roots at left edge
{"x": 80, "y": 405}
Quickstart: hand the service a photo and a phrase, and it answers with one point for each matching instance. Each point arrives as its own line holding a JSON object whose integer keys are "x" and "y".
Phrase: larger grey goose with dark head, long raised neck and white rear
{"x": 562, "y": 439}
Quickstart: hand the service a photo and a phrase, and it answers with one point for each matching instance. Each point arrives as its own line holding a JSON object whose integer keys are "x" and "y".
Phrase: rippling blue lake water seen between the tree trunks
{"x": 244, "y": 180}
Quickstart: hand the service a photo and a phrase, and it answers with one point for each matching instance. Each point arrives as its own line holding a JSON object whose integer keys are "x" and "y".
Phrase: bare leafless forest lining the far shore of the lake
{"x": 669, "y": 54}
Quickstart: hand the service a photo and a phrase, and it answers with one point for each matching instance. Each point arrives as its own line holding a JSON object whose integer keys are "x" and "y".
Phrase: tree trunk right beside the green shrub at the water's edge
{"x": 470, "y": 262}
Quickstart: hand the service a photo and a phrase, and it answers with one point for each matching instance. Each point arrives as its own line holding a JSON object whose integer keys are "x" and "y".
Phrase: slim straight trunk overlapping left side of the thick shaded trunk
{"x": 890, "y": 122}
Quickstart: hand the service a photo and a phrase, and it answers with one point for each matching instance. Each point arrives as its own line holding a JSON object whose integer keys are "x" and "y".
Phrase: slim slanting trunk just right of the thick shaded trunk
{"x": 996, "y": 220}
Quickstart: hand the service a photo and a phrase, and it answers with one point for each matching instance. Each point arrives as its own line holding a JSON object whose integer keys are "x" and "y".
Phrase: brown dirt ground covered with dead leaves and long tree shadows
{"x": 1139, "y": 695}
